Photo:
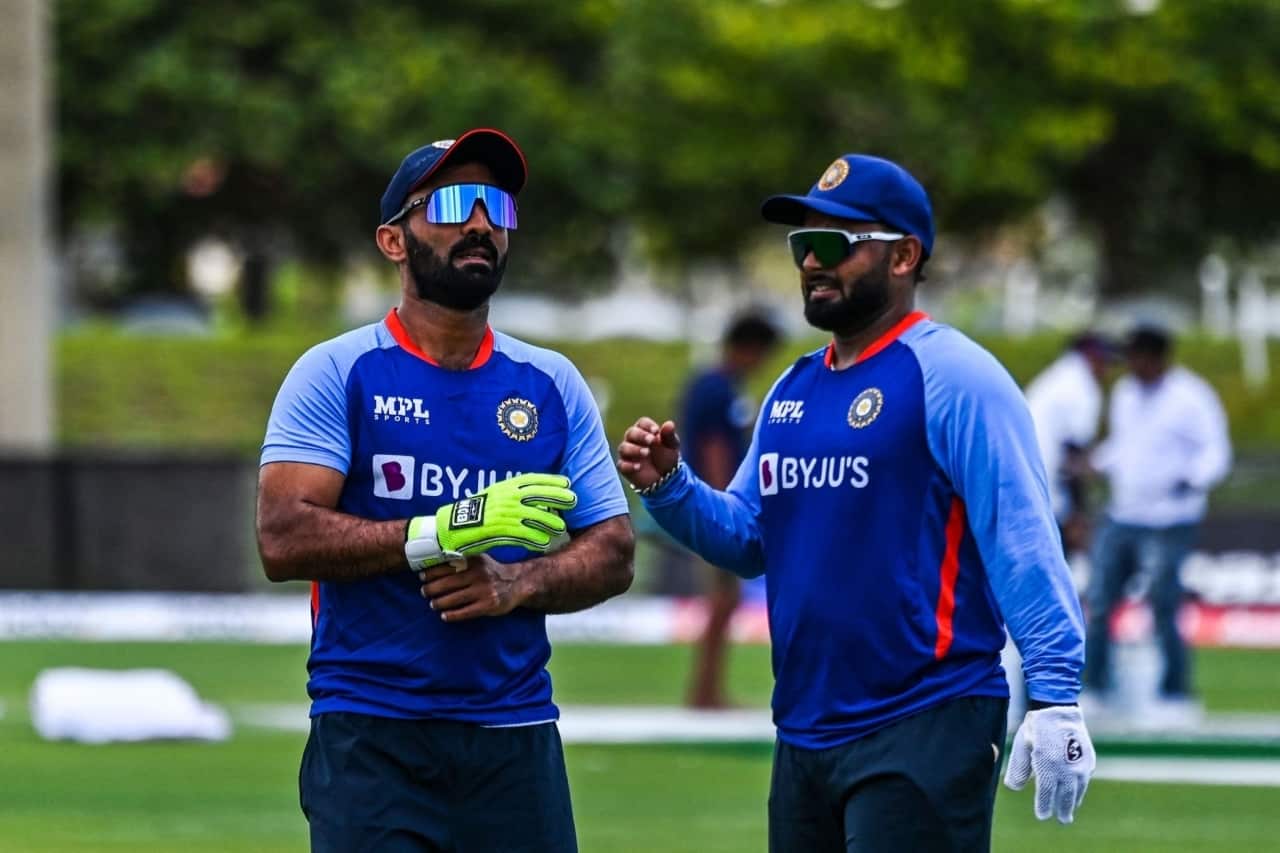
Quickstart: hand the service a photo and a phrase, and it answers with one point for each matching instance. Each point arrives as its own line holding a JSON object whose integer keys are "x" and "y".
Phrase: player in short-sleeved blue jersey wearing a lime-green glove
{"x": 392, "y": 450}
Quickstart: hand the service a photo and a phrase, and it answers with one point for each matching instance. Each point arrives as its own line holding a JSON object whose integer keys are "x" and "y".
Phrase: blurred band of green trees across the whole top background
{"x": 278, "y": 126}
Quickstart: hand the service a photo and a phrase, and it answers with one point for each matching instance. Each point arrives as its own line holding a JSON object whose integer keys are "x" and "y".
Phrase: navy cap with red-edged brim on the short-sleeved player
{"x": 483, "y": 145}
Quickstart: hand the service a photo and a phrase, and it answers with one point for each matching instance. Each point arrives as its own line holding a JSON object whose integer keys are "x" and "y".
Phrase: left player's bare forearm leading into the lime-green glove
{"x": 319, "y": 544}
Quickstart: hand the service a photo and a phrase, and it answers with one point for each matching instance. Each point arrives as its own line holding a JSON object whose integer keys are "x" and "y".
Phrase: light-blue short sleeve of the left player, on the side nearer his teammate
{"x": 588, "y": 459}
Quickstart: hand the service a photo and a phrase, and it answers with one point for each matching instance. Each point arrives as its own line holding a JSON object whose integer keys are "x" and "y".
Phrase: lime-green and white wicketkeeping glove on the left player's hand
{"x": 520, "y": 512}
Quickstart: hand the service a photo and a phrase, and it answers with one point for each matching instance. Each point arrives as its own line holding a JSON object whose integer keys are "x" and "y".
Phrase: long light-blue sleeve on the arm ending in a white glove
{"x": 981, "y": 435}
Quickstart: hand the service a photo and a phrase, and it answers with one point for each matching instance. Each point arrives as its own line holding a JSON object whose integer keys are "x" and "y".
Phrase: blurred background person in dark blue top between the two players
{"x": 717, "y": 419}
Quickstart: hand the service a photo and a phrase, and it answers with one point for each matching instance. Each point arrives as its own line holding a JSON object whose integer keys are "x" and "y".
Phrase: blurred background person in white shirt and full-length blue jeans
{"x": 1167, "y": 448}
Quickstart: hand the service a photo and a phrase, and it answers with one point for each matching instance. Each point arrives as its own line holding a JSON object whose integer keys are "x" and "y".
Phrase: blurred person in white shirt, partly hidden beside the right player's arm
{"x": 1066, "y": 402}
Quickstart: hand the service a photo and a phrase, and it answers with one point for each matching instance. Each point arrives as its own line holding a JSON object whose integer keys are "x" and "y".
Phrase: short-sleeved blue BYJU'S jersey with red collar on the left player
{"x": 412, "y": 437}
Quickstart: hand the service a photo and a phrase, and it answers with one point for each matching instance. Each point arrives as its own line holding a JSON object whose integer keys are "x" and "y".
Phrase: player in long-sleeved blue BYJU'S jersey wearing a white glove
{"x": 897, "y": 504}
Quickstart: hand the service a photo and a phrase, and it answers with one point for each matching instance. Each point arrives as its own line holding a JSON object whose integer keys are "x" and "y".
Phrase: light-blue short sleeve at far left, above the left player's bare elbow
{"x": 309, "y": 418}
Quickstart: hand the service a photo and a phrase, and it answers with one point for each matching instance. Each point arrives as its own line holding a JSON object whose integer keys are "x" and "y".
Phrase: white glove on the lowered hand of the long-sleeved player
{"x": 1054, "y": 745}
